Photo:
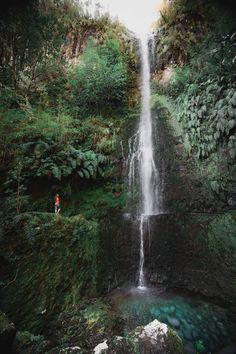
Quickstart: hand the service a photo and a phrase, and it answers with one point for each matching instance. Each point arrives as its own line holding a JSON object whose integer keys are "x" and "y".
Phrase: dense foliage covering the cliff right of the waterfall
{"x": 196, "y": 68}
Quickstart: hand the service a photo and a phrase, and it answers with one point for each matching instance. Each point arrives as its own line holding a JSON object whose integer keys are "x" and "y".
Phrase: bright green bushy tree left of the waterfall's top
{"x": 100, "y": 79}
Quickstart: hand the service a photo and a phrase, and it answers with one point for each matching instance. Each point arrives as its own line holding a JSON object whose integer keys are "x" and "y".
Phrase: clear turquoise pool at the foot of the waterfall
{"x": 197, "y": 322}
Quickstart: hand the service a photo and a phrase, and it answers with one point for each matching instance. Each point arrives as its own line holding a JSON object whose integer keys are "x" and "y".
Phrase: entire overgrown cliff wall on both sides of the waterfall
{"x": 67, "y": 138}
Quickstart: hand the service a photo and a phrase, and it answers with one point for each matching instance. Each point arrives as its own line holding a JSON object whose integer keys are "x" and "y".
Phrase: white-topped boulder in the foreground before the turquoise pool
{"x": 154, "y": 338}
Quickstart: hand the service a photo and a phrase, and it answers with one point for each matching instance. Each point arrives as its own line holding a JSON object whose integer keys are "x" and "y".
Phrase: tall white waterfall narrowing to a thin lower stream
{"x": 142, "y": 171}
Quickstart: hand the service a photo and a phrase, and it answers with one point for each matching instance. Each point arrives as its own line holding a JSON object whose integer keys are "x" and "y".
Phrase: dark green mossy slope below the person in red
{"x": 56, "y": 264}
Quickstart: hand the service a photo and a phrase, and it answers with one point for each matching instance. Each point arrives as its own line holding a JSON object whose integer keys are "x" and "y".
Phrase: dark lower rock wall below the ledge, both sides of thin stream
{"x": 187, "y": 251}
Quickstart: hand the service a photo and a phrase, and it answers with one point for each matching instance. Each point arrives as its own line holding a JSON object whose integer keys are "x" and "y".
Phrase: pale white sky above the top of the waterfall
{"x": 137, "y": 15}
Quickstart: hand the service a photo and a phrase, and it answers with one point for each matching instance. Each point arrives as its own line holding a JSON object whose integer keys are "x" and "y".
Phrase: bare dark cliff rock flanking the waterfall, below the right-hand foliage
{"x": 191, "y": 247}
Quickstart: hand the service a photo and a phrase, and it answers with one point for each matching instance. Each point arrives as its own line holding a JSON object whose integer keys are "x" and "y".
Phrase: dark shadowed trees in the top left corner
{"x": 24, "y": 46}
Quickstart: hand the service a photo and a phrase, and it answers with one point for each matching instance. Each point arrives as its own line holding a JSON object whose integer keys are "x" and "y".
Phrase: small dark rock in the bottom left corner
{"x": 7, "y": 334}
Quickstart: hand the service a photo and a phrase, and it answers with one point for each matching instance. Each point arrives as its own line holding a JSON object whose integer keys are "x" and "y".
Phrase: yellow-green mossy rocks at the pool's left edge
{"x": 85, "y": 325}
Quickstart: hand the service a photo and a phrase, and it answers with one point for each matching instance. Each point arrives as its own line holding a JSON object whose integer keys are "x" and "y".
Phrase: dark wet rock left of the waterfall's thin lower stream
{"x": 119, "y": 258}
